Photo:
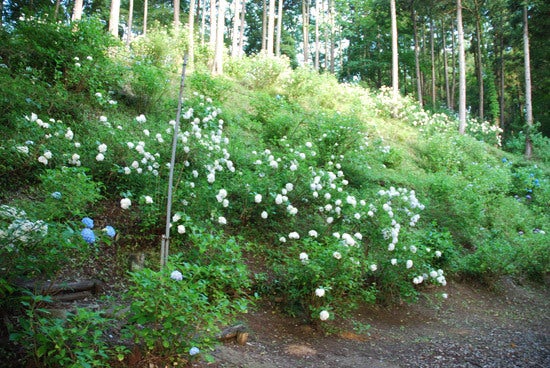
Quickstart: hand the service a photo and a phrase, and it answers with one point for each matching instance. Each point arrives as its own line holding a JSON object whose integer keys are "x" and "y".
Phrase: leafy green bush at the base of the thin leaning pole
{"x": 186, "y": 303}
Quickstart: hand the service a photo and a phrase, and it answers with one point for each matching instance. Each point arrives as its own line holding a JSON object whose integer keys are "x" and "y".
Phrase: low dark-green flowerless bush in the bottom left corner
{"x": 78, "y": 340}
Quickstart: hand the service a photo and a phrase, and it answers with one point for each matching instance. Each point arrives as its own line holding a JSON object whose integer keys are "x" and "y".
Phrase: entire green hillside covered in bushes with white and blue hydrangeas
{"x": 289, "y": 187}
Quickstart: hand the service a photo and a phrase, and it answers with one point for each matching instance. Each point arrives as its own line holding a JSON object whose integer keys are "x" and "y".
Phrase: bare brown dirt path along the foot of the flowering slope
{"x": 472, "y": 328}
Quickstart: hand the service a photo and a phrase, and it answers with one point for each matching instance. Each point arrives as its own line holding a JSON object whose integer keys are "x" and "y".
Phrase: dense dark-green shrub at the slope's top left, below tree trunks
{"x": 75, "y": 57}
